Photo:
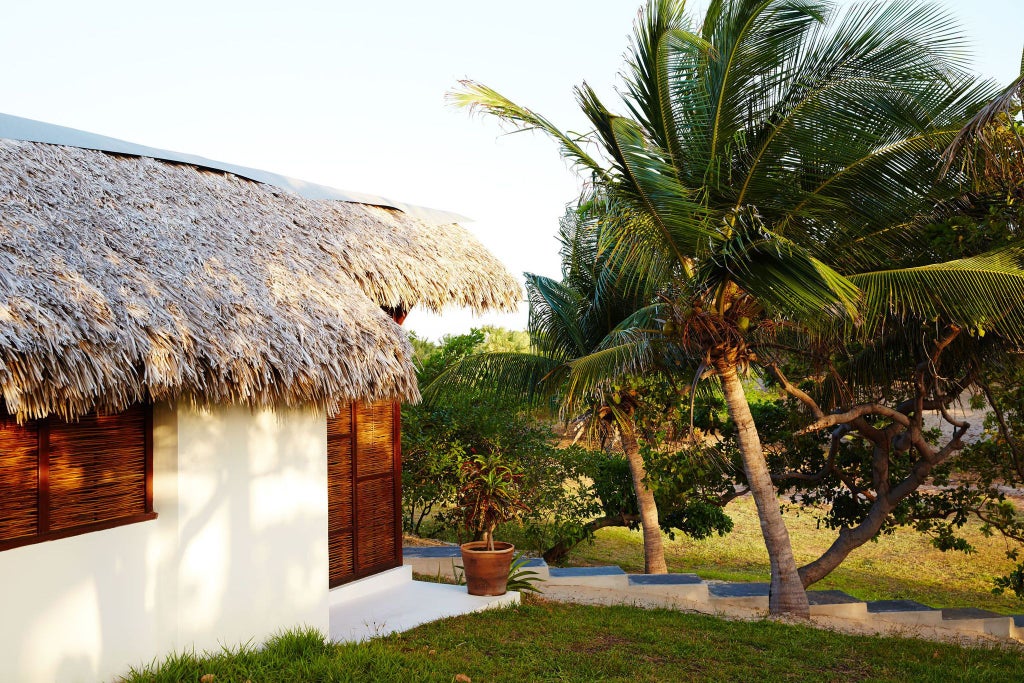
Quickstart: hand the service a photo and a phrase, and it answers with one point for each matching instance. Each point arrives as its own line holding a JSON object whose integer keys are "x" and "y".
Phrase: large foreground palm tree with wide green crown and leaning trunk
{"x": 774, "y": 170}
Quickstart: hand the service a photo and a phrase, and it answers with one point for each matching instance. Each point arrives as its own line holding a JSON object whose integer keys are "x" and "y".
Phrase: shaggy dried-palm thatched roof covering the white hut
{"x": 126, "y": 278}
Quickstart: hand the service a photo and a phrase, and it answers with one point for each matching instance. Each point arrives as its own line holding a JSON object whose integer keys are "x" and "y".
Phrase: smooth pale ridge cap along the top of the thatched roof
{"x": 18, "y": 129}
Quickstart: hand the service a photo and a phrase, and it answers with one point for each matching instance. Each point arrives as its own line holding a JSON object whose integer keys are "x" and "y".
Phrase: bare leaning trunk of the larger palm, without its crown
{"x": 787, "y": 595}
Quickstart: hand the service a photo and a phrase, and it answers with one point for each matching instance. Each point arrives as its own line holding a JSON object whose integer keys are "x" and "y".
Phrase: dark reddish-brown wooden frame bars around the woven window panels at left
{"x": 44, "y": 533}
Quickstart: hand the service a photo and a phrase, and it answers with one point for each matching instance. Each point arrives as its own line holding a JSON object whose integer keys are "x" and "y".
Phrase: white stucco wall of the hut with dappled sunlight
{"x": 239, "y": 551}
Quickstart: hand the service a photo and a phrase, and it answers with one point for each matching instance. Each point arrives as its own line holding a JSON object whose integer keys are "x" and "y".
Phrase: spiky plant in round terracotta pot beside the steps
{"x": 489, "y": 496}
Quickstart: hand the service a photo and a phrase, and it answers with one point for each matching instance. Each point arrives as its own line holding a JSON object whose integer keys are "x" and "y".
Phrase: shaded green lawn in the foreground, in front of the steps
{"x": 543, "y": 642}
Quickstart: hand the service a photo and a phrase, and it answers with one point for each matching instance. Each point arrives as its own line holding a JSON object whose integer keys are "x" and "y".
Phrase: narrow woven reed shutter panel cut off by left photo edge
{"x": 19, "y": 479}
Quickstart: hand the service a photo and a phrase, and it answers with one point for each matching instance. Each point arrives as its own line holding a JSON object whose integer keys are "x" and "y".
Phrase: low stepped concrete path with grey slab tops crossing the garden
{"x": 610, "y": 585}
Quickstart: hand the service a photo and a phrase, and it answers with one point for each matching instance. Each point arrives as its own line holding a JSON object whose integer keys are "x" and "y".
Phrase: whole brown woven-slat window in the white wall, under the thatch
{"x": 63, "y": 479}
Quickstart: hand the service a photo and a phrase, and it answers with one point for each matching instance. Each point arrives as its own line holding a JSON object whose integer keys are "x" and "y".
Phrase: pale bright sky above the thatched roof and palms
{"x": 352, "y": 95}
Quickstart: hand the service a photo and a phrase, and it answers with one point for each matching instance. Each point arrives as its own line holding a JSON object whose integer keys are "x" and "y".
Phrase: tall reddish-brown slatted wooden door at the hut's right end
{"x": 365, "y": 491}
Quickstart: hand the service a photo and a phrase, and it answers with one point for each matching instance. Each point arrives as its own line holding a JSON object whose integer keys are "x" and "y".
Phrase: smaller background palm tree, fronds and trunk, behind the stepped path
{"x": 571, "y": 323}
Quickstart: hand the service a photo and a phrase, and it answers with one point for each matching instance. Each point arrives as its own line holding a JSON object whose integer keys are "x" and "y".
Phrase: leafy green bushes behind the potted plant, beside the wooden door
{"x": 442, "y": 437}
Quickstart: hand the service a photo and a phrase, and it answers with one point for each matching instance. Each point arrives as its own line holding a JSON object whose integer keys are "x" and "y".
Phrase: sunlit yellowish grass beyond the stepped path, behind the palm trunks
{"x": 901, "y": 566}
